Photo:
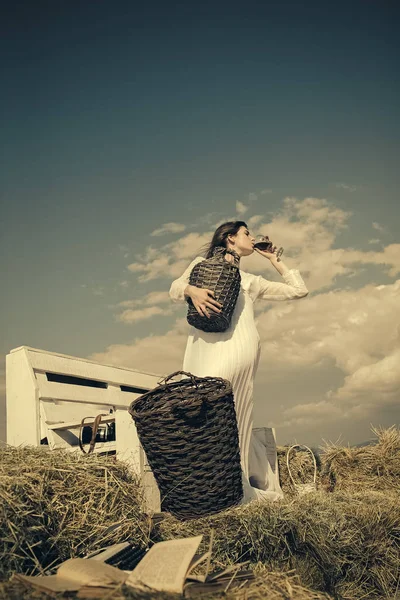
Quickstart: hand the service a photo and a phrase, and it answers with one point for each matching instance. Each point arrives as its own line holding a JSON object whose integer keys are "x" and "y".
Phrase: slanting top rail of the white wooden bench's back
{"x": 82, "y": 367}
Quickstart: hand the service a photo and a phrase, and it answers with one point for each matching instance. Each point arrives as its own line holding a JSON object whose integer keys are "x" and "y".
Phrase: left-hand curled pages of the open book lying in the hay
{"x": 76, "y": 572}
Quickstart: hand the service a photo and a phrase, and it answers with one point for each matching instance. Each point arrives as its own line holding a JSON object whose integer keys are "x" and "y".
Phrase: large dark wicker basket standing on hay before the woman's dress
{"x": 188, "y": 431}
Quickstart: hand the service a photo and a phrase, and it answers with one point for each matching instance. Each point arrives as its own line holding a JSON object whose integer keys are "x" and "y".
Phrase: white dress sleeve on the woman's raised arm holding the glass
{"x": 292, "y": 288}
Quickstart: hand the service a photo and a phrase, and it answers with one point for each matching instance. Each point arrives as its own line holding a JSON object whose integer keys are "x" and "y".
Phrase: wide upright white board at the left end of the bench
{"x": 23, "y": 422}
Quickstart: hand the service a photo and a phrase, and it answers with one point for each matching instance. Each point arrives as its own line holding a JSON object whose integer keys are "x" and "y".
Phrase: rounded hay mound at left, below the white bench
{"x": 56, "y": 505}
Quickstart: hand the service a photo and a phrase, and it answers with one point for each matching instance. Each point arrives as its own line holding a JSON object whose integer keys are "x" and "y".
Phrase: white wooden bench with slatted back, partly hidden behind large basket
{"x": 48, "y": 395}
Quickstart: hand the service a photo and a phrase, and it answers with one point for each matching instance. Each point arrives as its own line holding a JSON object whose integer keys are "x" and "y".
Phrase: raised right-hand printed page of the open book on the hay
{"x": 165, "y": 565}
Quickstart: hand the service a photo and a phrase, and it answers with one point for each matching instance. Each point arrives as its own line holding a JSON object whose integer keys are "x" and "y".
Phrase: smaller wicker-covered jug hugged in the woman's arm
{"x": 221, "y": 277}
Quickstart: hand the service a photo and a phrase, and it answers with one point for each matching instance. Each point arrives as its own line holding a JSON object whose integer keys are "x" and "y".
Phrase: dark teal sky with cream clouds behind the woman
{"x": 129, "y": 132}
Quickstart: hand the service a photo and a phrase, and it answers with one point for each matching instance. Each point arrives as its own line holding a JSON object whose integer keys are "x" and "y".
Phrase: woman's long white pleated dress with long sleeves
{"x": 234, "y": 355}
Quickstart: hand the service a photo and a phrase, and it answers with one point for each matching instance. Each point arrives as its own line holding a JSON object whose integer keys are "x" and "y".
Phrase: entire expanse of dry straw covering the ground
{"x": 341, "y": 541}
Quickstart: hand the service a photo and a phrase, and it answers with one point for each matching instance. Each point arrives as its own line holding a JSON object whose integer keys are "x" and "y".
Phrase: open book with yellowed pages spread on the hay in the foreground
{"x": 167, "y": 566}
